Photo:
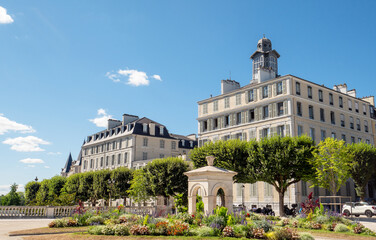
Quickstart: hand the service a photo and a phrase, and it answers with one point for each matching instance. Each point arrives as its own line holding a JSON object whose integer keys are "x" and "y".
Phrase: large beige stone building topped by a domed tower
{"x": 283, "y": 105}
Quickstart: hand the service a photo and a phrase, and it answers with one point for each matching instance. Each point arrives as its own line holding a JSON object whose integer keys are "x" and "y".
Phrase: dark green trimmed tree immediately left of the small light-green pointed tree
{"x": 122, "y": 177}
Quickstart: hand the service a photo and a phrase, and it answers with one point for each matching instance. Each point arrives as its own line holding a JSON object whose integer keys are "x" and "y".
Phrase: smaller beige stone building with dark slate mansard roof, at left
{"x": 132, "y": 142}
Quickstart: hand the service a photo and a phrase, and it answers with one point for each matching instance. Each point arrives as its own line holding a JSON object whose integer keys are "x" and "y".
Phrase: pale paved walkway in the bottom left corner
{"x": 10, "y": 225}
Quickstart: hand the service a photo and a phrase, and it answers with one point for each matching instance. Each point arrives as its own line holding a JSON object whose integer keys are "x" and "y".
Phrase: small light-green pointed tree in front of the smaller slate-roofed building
{"x": 138, "y": 190}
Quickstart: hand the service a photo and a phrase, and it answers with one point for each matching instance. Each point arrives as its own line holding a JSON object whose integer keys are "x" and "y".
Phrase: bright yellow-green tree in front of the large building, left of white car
{"x": 331, "y": 160}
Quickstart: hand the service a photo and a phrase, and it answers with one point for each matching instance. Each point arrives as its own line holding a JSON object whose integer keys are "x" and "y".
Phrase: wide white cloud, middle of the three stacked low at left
{"x": 26, "y": 144}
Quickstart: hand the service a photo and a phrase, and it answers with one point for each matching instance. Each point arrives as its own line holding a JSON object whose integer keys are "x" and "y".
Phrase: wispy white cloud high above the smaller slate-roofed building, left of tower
{"x": 133, "y": 77}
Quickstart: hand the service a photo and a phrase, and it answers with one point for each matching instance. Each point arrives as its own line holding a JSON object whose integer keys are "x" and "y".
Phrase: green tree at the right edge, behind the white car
{"x": 362, "y": 165}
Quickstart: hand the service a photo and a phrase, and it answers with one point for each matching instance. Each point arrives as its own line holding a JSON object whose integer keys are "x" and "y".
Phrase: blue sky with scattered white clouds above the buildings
{"x": 64, "y": 63}
